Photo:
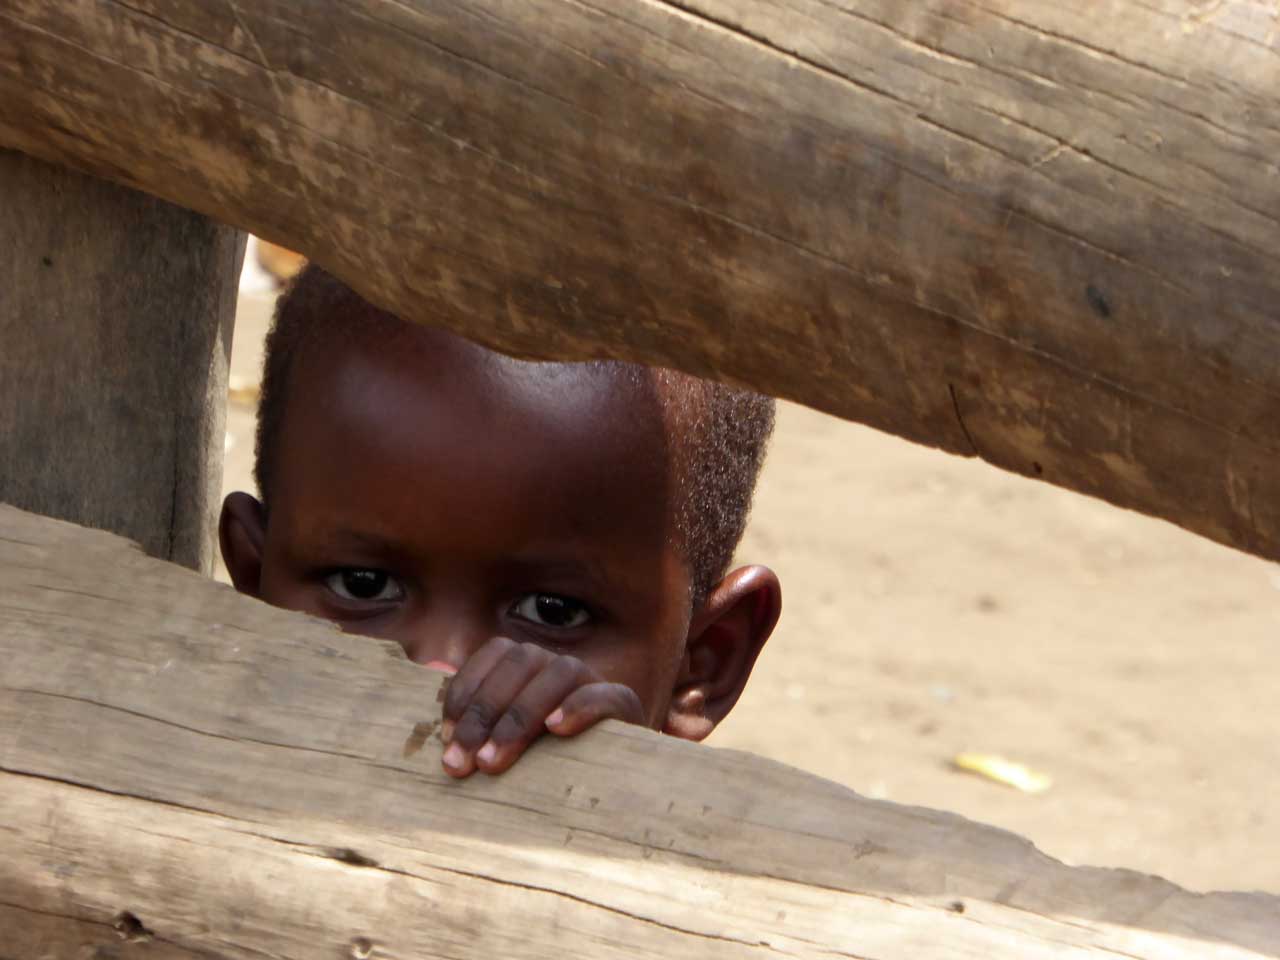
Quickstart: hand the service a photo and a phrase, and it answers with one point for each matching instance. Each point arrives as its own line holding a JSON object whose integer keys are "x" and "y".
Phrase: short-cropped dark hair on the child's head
{"x": 724, "y": 431}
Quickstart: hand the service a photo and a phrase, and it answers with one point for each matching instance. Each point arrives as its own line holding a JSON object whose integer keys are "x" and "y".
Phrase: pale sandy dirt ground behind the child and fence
{"x": 936, "y": 606}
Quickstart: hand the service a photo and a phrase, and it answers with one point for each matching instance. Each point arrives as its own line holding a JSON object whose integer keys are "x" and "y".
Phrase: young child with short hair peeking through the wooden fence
{"x": 555, "y": 534}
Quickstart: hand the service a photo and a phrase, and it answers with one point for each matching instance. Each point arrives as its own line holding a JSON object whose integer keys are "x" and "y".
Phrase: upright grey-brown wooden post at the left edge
{"x": 116, "y": 323}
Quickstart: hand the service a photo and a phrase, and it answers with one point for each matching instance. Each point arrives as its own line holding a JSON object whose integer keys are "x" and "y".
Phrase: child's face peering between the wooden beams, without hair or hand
{"x": 432, "y": 493}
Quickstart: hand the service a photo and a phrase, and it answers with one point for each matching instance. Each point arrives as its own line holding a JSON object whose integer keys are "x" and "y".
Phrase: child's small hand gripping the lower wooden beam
{"x": 508, "y": 694}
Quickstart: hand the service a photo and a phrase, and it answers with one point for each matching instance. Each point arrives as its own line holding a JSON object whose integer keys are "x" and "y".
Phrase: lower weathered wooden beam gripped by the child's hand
{"x": 246, "y": 783}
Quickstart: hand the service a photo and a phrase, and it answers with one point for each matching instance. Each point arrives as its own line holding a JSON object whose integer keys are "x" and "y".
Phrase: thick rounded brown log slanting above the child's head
{"x": 1045, "y": 234}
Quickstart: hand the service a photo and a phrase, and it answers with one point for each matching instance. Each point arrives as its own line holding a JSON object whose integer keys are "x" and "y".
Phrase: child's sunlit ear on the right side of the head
{"x": 725, "y": 638}
